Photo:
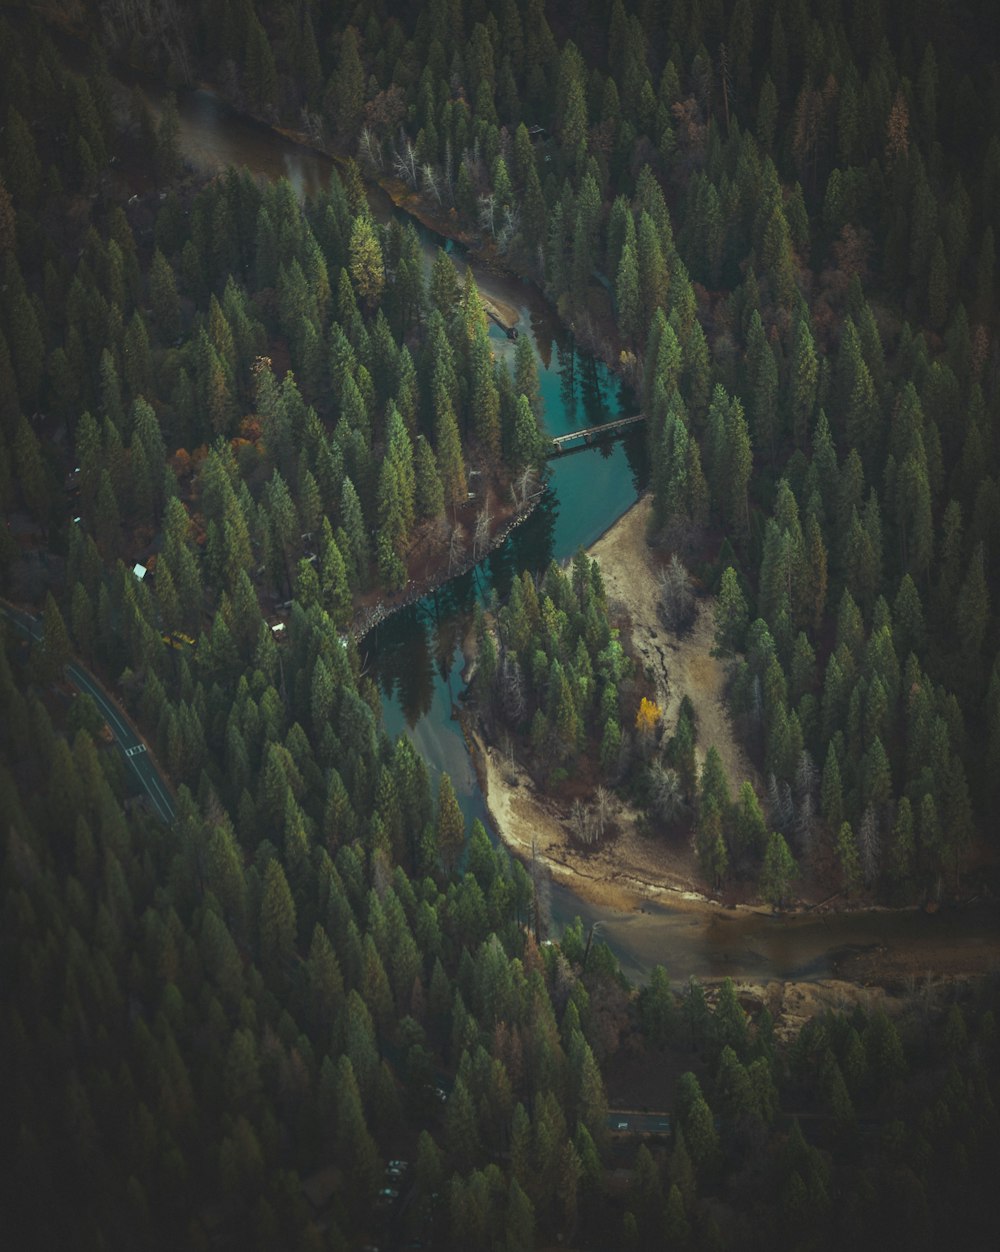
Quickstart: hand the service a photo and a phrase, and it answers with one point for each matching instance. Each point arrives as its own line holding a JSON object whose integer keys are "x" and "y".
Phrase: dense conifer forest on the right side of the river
{"x": 789, "y": 218}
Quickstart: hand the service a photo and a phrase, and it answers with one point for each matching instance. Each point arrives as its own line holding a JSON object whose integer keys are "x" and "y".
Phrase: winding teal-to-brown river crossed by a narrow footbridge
{"x": 417, "y": 660}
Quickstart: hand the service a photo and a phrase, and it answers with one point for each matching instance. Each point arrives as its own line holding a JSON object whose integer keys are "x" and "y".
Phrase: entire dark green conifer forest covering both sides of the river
{"x": 778, "y": 222}
